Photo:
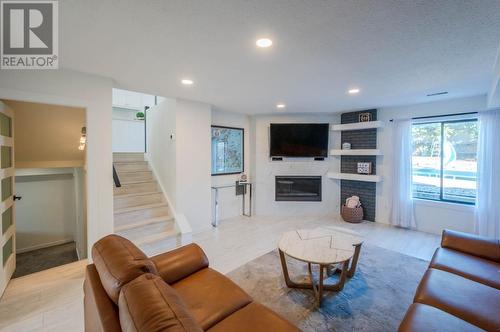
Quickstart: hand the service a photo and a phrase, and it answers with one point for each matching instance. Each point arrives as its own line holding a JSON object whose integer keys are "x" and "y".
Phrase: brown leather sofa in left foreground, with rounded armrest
{"x": 174, "y": 291}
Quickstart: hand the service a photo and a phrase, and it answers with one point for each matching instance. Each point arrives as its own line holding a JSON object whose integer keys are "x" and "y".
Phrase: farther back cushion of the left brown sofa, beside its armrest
{"x": 119, "y": 261}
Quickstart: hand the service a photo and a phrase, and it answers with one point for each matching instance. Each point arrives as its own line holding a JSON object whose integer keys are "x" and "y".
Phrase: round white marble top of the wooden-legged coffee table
{"x": 322, "y": 245}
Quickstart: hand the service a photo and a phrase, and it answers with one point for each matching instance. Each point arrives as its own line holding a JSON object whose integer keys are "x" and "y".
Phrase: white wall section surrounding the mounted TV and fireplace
{"x": 264, "y": 170}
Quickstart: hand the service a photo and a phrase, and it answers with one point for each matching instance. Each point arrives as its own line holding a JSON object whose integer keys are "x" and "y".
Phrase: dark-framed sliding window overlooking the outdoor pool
{"x": 444, "y": 160}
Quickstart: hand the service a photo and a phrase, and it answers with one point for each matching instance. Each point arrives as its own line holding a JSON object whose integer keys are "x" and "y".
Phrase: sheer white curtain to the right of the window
{"x": 487, "y": 211}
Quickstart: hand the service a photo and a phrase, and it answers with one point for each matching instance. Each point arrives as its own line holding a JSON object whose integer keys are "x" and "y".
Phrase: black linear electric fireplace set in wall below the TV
{"x": 298, "y": 188}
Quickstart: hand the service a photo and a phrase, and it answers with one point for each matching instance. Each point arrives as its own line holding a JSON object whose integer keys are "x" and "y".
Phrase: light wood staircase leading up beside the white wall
{"x": 141, "y": 213}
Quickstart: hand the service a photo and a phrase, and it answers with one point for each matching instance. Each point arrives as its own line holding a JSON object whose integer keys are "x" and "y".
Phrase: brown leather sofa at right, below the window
{"x": 460, "y": 291}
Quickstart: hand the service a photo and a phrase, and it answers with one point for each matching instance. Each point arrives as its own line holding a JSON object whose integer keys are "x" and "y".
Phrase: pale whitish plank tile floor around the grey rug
{"x": 52, "y": 300}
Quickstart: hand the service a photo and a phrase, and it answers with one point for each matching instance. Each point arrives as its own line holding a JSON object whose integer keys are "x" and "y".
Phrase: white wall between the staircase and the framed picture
{"x": 179, "y": 152}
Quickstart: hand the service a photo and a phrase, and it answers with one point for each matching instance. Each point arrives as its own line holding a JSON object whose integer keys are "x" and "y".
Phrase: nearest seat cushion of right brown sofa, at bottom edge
{"x": 424, "y": 318}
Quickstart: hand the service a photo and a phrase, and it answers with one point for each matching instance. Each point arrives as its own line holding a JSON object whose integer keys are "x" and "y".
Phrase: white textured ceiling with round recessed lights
{"x": 396, "y": 52}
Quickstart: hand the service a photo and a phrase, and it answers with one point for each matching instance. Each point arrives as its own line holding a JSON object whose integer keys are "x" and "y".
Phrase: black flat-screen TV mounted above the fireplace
{"x": 299, "y": 139}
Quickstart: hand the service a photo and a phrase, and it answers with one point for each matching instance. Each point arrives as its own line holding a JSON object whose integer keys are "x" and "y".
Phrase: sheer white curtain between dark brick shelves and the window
{"x": 402, "y": 201}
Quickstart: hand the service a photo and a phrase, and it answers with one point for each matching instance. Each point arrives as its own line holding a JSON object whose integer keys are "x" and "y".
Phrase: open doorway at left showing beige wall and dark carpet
{"x": 49, "y": 176}
